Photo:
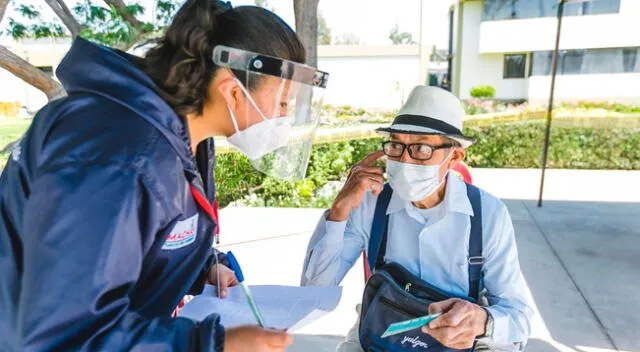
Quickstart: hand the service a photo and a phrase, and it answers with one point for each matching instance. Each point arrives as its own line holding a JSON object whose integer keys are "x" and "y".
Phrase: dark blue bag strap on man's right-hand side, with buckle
{"x": 476, "y": 259}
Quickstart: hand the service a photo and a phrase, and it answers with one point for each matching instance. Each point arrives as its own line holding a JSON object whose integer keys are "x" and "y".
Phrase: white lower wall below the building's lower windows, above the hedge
{"x": 619, "y": 87}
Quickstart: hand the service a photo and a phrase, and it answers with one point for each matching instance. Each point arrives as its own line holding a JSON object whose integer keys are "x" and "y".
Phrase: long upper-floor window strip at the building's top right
{"x": 496, "y": 10}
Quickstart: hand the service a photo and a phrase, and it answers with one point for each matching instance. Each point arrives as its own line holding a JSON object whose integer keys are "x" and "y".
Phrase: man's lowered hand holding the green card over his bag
{"x": 459, "y": 325}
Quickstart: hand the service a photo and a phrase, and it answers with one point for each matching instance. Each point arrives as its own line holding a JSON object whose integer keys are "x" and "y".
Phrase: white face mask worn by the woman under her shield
{"x": 260, "y": 138}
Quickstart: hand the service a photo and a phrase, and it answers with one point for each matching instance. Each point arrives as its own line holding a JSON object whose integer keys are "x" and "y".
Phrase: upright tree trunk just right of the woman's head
{"x": 306, "y": 12}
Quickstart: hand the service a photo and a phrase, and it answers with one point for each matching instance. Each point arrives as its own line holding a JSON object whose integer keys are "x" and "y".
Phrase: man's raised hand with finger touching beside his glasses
{"x": 362, "y": 177}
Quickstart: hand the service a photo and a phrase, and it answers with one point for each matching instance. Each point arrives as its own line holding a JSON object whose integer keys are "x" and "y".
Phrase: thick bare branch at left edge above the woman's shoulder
{"x": 31, "y": 75}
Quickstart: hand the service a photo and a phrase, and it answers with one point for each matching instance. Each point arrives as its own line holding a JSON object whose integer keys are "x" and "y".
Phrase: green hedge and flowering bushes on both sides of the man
{"x": 500, "y": 146}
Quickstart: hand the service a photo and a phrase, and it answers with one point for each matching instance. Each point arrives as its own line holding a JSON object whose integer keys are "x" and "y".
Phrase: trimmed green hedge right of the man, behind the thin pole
{"x": 520, "y": 145}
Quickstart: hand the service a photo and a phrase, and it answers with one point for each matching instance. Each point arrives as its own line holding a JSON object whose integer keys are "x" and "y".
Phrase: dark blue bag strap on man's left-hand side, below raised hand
{"x": 378, "y": 236}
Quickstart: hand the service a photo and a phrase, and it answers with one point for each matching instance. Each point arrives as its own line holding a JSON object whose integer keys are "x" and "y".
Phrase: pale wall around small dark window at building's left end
{"x": 485, "y": 69}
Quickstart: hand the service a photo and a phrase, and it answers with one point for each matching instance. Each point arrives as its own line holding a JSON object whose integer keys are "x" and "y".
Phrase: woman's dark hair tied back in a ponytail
{"x": 181, "y": 62}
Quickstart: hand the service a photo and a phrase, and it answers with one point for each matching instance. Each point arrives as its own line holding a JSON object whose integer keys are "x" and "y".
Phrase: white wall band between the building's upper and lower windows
{"x": 578, "y": 32}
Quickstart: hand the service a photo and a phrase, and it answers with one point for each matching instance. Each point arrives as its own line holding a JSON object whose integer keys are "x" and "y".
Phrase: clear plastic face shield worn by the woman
{"x": 276, "y": 125}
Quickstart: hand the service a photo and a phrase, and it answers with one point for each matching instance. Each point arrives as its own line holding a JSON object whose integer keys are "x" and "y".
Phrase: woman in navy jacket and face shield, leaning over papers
{"x": 106, "y": 202}
